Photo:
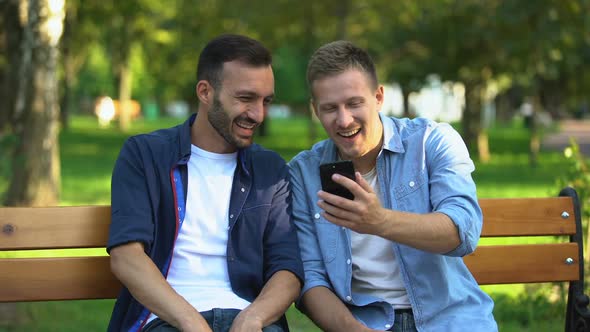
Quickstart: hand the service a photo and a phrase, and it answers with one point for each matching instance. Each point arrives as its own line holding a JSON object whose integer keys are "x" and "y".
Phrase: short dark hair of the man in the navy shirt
{"x": 227, "y": 48}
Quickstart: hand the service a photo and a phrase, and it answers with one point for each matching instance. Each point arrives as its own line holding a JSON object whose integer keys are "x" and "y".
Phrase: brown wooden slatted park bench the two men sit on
{"x": 72, "y": 278}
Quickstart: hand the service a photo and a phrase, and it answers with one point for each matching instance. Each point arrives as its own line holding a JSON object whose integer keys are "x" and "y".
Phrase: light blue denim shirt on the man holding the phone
{"x": 423, "y": 167}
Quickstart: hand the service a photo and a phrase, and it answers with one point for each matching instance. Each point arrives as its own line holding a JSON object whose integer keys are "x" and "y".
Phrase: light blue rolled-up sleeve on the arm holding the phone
{"x": 452, "y": 189}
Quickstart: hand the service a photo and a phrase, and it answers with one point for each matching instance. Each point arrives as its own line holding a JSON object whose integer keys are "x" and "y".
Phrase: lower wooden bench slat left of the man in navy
{"x": 42, "y": 279}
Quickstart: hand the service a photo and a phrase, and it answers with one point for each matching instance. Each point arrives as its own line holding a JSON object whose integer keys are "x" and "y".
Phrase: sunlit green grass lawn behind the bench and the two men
{"x": 88, "y": 154}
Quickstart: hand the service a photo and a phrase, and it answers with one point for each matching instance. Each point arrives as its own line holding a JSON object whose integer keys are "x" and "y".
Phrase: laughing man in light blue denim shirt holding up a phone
{"x": 390, "y": 258}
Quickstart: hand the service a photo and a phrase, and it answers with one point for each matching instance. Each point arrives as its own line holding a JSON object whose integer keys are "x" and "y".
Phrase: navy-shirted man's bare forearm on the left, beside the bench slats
{"x": 139, "y": 274}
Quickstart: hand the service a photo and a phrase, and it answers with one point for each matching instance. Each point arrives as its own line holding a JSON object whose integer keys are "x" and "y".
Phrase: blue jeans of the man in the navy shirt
{"x": 219, "y": 320}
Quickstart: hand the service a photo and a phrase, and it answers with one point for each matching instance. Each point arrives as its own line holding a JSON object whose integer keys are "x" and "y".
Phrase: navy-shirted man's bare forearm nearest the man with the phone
{"x": 274, "y": 299}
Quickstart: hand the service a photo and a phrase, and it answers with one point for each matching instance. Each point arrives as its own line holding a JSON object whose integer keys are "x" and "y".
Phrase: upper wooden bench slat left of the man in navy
{"x": 54, "y": 227}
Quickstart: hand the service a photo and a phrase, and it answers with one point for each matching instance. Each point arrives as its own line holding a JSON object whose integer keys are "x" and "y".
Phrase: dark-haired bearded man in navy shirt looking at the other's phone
{"x": 201, "y": 235}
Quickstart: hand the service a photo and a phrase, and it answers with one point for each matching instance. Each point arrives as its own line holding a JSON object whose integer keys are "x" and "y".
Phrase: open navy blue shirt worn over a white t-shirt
{"x": 148, "y": 197}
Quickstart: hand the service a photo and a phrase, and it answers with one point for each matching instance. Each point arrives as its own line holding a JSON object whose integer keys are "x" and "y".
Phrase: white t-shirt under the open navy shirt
{"x": 198, "y": 270}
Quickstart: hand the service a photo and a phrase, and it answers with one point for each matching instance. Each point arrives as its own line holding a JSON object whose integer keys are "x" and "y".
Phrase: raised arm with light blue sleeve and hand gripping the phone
{"x": 453, "y": 228}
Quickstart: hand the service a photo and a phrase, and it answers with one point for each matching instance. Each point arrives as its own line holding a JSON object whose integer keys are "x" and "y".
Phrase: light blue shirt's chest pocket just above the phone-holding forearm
{"x": 412, "y": 192}
